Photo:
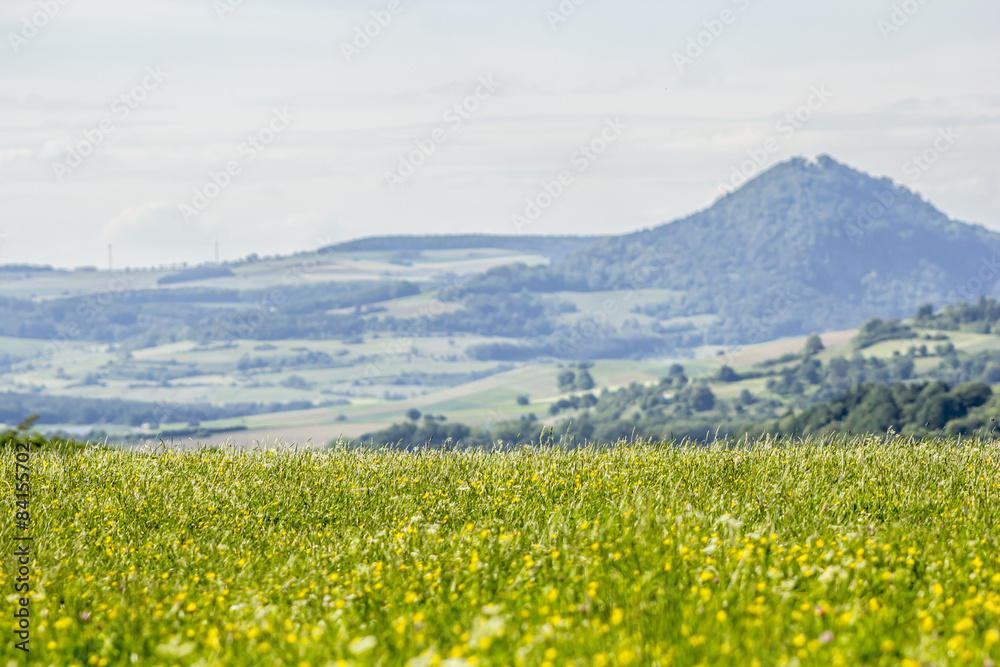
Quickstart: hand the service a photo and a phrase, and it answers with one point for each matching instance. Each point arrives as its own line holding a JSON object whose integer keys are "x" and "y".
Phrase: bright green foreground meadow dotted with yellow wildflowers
{"x": 848, "y": 551}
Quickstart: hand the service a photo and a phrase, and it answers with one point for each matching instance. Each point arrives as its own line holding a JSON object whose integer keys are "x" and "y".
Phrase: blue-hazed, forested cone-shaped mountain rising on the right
{"x": 806, "y": 246}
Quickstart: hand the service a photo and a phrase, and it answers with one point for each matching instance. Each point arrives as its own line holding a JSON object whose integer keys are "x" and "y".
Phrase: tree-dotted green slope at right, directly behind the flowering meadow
{"x": 933, "y": 374}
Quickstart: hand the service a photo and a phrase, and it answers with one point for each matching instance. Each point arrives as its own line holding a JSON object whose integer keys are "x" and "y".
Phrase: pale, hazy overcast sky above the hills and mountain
{"x": 277, "y": 126}
